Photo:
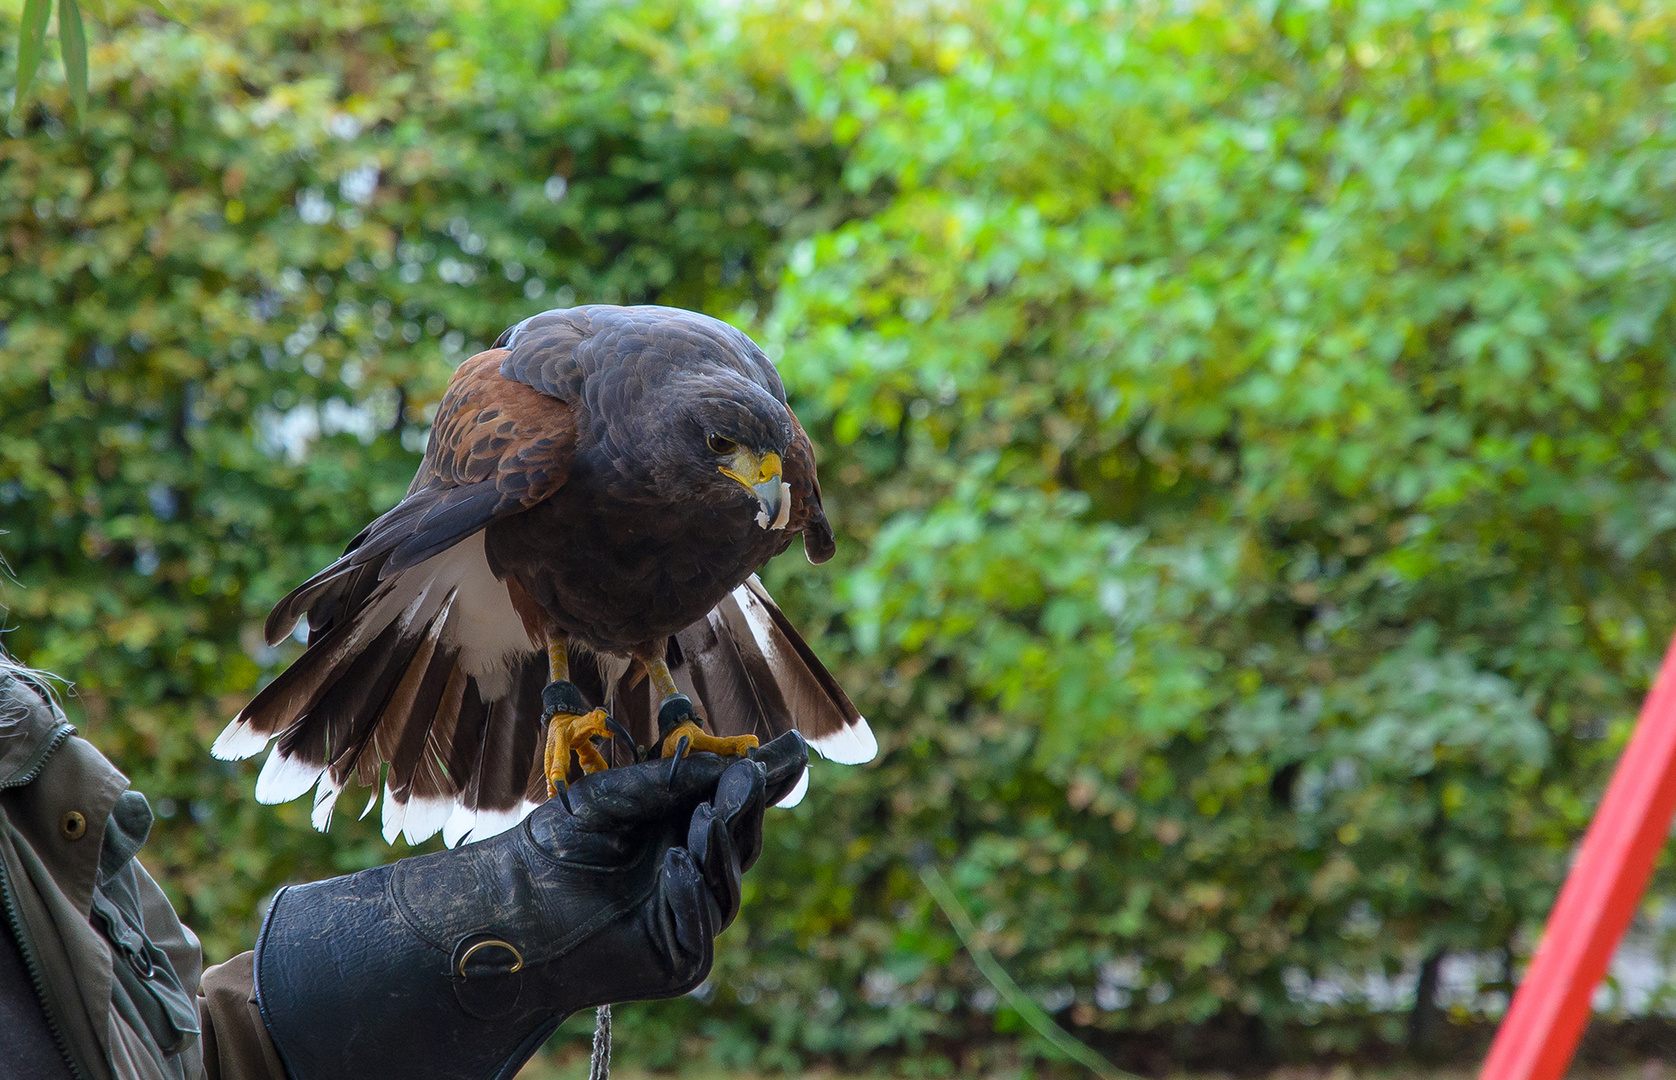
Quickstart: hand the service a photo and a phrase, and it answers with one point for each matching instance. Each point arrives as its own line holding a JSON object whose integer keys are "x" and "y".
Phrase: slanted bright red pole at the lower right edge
{"x": 1546, "y": 1020}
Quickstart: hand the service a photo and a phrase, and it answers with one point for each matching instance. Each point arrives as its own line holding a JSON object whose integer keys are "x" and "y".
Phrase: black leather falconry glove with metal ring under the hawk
{"x": 462, "y": 963}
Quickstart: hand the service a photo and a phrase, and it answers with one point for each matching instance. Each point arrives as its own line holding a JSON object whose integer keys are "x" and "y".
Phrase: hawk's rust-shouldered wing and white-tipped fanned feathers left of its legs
{"x": 416, "y": 655}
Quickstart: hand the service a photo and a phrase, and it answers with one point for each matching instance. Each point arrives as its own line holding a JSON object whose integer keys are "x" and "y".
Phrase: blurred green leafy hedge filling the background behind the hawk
{"x": 1248, "y": 427}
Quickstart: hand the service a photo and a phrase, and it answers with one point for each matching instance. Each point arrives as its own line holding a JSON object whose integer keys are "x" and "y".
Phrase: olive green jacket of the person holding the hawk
{"x": 116, "y": 972}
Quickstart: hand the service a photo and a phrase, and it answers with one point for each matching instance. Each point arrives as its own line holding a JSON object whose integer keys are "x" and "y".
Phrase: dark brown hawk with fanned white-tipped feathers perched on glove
{"x": 579, "y": 548}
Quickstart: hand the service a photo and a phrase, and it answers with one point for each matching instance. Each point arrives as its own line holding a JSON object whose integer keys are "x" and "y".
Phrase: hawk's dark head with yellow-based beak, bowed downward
{"x": 740, "y": 440}
